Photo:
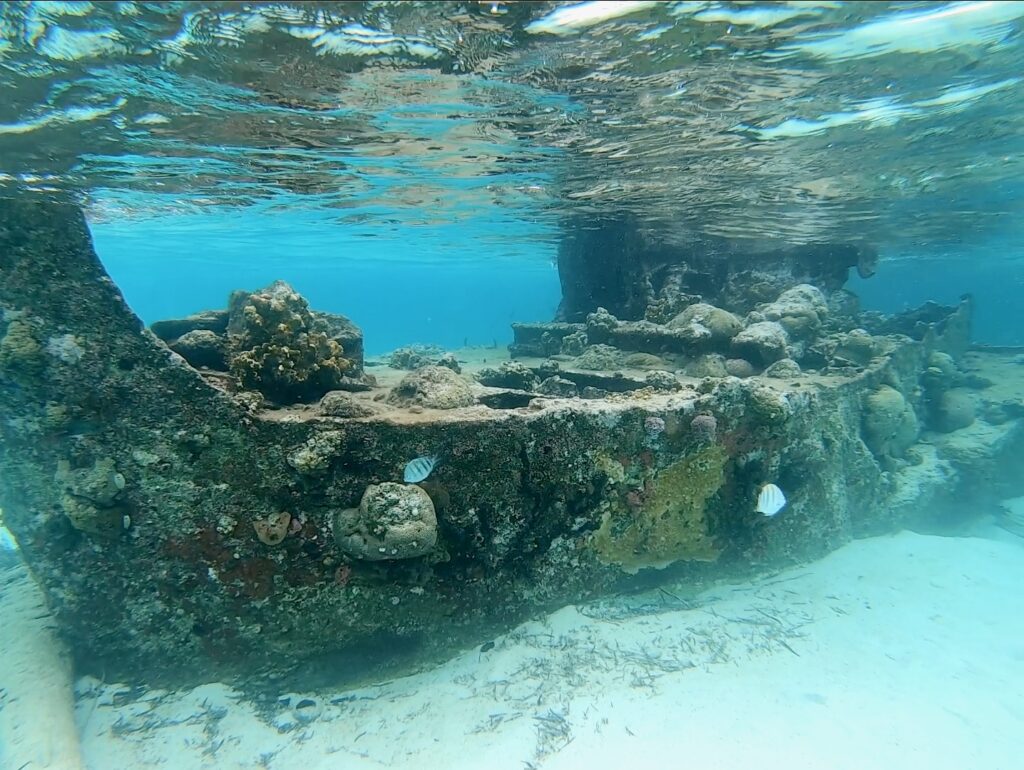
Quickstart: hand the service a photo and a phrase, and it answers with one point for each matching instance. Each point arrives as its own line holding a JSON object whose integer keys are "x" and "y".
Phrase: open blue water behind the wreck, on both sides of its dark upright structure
{"x": 456, "y": 284}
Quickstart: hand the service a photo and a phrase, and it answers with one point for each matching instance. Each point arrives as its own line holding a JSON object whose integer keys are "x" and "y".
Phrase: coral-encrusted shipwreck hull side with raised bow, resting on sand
{"x": 215, "y": 520}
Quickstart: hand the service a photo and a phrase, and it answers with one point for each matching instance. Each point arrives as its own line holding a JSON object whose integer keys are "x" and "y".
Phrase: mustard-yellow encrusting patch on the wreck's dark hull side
{"x": 666, "y": 521}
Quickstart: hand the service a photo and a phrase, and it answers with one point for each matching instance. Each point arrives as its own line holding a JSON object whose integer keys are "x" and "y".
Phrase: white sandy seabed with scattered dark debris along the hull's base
{"x": 894, "y": 653}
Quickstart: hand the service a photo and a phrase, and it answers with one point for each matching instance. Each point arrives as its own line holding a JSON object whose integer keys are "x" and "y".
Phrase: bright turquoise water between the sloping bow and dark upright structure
{"x": 445, "y": 286}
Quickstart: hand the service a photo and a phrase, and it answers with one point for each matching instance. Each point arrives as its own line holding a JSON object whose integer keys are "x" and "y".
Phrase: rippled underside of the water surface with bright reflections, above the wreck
{"x": 663, "y": 108}
